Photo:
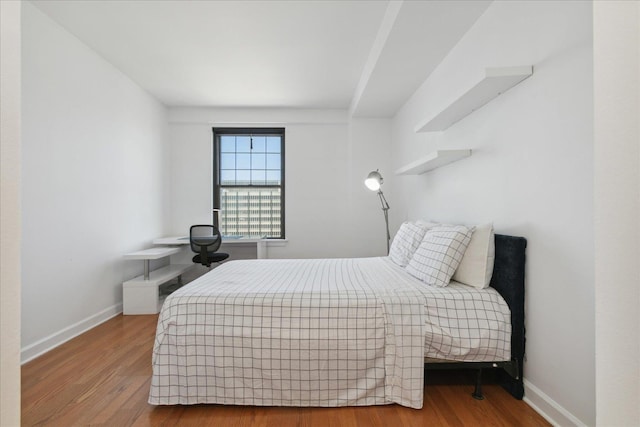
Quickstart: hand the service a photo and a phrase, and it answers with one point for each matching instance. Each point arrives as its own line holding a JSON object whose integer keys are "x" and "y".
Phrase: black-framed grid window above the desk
{"x": 248, "y": 174}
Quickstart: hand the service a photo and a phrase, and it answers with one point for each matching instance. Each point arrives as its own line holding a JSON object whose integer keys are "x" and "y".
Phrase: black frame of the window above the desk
{"x": 217, "y": 186}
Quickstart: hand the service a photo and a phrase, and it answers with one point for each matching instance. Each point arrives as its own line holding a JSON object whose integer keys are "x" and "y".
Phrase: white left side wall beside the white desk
{"x": 93, "y": 182}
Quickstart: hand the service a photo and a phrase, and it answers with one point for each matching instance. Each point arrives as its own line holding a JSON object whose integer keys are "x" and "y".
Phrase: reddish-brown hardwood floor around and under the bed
{"x": 102, "y": 378}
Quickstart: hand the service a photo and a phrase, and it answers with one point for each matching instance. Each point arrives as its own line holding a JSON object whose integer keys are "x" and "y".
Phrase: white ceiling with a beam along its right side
{"x": 369, "y": 56}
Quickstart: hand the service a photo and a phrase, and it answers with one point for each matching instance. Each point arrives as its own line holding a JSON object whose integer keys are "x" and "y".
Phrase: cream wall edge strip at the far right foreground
{"x": 617, "y": 211}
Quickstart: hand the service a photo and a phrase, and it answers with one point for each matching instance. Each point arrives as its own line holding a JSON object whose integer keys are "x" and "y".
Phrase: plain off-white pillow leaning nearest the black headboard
{"x": 476, "y": 266}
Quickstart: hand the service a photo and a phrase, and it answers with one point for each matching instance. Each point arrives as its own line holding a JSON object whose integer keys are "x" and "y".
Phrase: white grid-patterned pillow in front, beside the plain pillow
{"x": 439, "y": 254}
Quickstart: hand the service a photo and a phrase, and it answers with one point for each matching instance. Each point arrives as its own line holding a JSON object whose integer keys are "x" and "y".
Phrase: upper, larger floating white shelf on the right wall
{"x": 495, "y": 82}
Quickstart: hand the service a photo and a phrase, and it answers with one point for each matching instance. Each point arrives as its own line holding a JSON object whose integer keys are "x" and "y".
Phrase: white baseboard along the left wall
{"x": 46, "y": 344}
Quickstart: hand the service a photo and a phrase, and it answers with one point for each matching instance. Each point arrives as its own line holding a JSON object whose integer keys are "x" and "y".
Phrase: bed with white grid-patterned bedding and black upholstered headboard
{"x": 332, "y": 332}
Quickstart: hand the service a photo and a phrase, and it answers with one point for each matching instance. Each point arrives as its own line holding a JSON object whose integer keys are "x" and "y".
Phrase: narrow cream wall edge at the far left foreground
{"x": 10, "y": 213}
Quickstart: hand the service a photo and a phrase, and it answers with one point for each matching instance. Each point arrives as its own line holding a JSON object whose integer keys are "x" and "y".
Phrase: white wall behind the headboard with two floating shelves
{"x": 530, "y": 173}
